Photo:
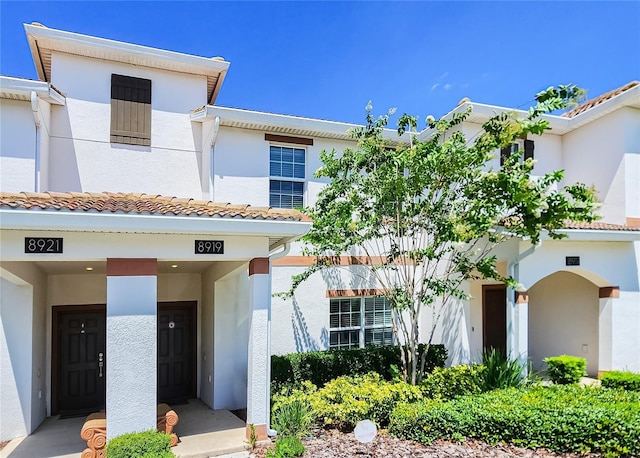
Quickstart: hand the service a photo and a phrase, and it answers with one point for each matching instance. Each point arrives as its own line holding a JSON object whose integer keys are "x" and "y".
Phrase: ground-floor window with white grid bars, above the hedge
{"x": 358, "y": 322}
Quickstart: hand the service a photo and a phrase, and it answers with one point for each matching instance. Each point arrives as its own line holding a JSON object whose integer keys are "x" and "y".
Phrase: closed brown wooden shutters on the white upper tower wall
{"x": 130, "y": 110}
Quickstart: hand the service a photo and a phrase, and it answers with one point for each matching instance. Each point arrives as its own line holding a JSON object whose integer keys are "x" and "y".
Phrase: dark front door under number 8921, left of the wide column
{"x": 81, "y": 360}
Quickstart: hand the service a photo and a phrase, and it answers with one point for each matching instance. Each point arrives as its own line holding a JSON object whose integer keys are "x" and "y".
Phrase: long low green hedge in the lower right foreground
{"x": 561, "y": 418}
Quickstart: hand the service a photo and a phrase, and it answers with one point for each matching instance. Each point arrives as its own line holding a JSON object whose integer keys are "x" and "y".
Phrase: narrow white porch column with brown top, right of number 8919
{"x": 259, "y": 362}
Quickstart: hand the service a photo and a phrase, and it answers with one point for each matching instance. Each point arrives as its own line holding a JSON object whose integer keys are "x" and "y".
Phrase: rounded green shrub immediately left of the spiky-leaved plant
{"x": 451, "y": 382}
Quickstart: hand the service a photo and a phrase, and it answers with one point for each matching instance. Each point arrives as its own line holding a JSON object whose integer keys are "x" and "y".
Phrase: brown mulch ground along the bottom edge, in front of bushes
{"x": 335, "y": 444}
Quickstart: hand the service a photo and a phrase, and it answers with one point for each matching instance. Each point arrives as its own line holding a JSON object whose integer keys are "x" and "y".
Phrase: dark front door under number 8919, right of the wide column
{"x": 176, "y": 351}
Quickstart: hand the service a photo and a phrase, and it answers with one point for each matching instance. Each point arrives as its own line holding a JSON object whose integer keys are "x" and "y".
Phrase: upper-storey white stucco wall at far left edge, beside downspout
{"x": 17, "y": 146}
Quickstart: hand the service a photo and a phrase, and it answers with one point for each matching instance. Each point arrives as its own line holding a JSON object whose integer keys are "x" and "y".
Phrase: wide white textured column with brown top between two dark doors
{"x": 131, "y": 359}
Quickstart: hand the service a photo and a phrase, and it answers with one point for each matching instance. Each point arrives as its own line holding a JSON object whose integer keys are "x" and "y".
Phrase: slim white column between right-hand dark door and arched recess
{"x": 518, "y": 325}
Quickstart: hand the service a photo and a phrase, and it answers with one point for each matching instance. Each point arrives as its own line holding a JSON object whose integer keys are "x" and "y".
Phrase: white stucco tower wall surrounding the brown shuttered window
{"x": 82, "y": 158}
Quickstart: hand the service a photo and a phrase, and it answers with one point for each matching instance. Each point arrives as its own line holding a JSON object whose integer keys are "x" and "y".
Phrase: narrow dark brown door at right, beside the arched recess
{"x": 494, "y": 317}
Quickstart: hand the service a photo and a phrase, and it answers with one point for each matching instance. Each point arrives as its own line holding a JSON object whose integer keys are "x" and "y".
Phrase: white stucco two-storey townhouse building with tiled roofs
{"x": 119, "y": 274}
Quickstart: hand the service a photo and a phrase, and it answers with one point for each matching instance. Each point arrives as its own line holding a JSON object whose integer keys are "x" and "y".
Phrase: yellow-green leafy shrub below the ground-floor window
{"x": 345, "y": 401}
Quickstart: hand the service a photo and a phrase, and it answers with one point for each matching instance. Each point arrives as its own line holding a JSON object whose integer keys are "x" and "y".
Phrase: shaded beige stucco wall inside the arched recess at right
{"x": 563, "y": 319}
